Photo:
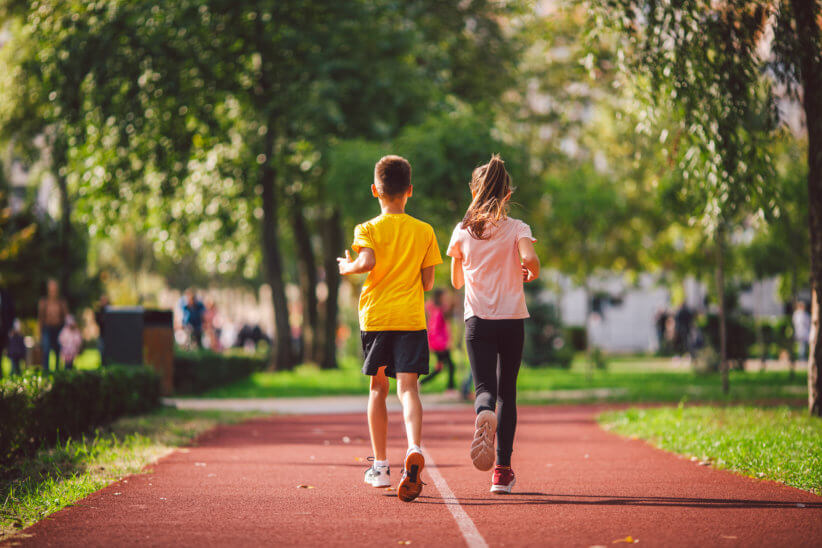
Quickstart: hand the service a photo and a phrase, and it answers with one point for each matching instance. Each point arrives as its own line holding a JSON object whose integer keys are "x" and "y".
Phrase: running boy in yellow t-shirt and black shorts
{"x": 399, "y": 253}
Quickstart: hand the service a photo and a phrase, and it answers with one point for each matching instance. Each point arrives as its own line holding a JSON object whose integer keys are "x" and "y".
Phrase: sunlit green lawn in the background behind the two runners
{"x": 635, "y": 378}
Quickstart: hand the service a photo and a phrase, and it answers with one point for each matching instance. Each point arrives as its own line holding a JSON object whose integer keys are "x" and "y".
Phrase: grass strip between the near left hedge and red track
{"x": 57, "y": 477}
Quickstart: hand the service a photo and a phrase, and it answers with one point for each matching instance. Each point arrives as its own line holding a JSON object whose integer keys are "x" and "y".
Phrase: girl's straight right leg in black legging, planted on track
{"x": 511, "y": 339}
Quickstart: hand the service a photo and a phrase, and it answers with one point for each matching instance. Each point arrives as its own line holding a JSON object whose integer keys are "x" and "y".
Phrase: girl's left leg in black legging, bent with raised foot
{"x": 481, "y": 344}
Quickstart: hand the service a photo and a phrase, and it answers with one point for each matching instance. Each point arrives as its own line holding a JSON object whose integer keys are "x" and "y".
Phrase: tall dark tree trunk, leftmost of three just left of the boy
{"x": 284, "y": 357}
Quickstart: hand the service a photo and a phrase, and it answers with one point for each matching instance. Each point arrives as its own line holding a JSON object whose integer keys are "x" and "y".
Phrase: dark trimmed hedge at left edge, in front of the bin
{"x": 38, "y": 410}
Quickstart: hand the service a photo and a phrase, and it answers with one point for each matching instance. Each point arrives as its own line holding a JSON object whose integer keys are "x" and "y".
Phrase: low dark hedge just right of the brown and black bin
{"x": 198, "y": 371}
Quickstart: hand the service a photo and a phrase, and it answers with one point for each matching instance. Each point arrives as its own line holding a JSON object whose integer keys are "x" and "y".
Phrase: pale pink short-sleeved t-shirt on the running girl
{"x": 492, "y": 268}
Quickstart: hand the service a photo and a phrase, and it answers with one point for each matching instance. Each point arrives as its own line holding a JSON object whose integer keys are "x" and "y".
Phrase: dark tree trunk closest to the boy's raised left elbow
{"x": 333, "y": 247}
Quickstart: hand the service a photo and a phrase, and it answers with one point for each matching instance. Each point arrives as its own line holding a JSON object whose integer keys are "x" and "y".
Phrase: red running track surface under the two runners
{"x": 577, "y": 486}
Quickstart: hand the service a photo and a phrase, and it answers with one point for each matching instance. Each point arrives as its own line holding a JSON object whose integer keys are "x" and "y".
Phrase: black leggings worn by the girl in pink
{"x": 495, "y": 351}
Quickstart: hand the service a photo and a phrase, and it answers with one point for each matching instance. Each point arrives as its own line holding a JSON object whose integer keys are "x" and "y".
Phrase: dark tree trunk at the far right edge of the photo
{"x": 810, "y": 73}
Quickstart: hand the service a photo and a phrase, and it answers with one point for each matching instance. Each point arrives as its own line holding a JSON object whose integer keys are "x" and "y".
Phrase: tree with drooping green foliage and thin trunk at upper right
{"x": 702, "y": 64}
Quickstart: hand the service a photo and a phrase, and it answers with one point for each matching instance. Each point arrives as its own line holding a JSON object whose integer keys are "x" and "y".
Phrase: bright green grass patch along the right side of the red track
{"x": 777, "y": 443}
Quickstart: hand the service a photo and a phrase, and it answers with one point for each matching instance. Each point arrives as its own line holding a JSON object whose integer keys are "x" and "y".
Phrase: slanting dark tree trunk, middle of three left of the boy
{"x": 307, "y": 265}
